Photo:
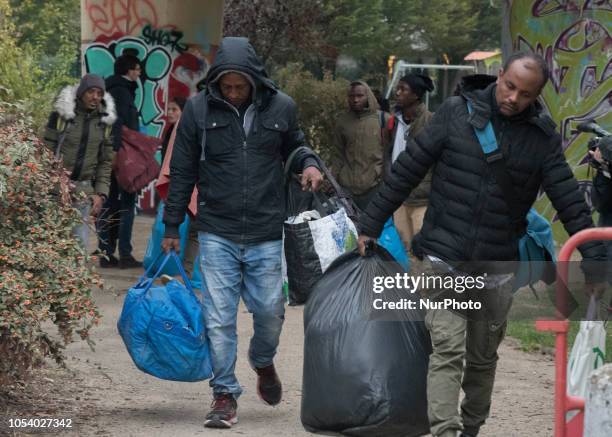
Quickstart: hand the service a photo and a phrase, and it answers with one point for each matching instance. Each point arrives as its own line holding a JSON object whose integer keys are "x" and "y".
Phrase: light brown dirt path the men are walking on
{"x": 104, "y": 394}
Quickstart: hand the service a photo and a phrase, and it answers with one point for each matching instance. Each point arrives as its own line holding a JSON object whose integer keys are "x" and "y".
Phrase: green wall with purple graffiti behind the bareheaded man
{"x": 574, "y": 36}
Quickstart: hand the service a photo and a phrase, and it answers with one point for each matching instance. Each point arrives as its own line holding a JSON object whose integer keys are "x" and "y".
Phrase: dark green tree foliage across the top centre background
{"x": 317, "y": 32}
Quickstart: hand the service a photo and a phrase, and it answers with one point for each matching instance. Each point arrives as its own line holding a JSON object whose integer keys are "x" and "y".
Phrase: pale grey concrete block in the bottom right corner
{"x": 598, "y": 405}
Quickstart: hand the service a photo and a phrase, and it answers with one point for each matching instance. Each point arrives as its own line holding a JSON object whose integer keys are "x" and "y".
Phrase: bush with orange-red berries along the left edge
{"x": 44, "y": 274}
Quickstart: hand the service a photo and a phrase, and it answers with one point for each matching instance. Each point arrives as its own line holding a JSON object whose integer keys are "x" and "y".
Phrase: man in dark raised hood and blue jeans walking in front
{"x": 232, "y": 140}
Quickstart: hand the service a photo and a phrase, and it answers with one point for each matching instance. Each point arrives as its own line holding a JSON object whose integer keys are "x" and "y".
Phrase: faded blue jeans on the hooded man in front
{"x": 231, "y": 270}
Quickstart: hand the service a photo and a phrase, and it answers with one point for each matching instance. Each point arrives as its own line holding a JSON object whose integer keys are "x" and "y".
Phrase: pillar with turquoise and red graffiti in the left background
{"x": 175, "y": 40}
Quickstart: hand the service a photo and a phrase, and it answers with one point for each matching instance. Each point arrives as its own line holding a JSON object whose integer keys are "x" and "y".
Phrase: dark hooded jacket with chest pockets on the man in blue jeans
{"x": 239, "y": 178}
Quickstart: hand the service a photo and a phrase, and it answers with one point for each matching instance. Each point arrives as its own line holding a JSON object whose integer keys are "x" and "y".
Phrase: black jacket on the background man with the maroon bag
{"x": 124, "y": 93}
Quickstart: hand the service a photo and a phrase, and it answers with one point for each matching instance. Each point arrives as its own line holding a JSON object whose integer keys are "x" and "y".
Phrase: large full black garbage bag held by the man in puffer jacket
{"x": 363, "y": 376}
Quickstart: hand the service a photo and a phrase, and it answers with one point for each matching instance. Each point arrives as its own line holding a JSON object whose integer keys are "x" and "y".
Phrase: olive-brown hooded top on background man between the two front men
{"x": 357, "y": 160}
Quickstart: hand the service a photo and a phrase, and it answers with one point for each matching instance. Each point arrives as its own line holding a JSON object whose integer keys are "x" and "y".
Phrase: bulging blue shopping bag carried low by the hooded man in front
{"x": 163, "y": 328}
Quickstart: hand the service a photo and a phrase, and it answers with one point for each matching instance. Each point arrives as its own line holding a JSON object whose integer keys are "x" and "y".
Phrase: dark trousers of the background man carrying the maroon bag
{"x": 116, "y": 220}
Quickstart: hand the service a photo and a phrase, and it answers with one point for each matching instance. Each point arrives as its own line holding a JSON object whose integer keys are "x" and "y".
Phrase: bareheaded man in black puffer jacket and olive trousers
{"x": 469, "y": 221}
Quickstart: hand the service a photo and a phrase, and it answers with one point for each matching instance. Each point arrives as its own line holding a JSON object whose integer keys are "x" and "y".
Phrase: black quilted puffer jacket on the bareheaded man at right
{"x": 467, "y": 218}
